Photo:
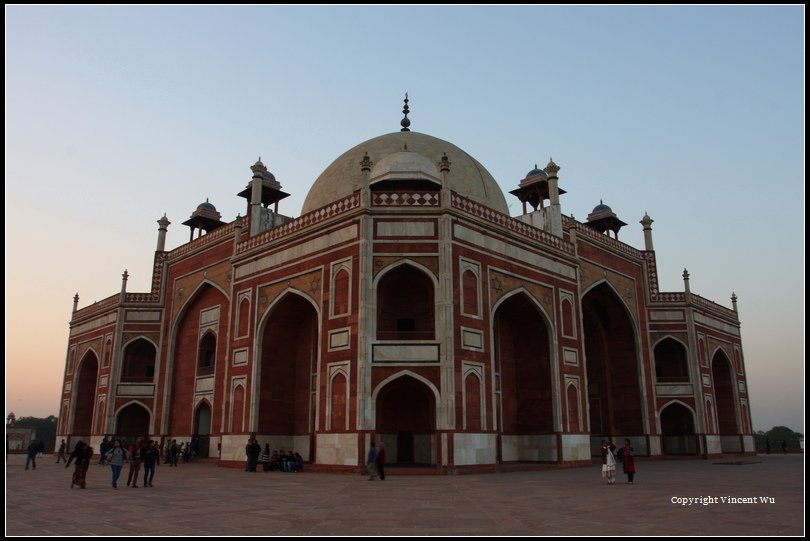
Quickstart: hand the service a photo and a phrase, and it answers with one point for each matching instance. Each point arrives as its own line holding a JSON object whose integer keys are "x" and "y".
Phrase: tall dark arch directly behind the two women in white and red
{"x": 614, "y": 393}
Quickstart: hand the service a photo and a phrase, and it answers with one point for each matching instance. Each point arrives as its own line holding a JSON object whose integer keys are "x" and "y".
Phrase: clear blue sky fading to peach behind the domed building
{"x": 693, "y": 114}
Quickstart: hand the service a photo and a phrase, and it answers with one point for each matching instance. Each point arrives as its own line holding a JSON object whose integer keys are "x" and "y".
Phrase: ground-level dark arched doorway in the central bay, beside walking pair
{"x": 406, "y": 421}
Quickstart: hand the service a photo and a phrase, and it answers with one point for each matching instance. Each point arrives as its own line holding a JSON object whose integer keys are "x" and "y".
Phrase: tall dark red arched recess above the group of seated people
{"x": 287, "y": 381}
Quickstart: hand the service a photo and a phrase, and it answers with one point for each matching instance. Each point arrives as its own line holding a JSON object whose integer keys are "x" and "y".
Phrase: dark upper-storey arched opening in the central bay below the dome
{"x": 405, "y": 301}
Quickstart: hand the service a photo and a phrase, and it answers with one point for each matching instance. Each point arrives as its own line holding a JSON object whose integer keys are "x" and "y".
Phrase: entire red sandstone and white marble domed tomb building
{"x": 405, "y": 305}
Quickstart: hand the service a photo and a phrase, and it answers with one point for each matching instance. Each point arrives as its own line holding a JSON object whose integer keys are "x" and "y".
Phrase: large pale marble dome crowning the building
{"x": 394, "y": 153}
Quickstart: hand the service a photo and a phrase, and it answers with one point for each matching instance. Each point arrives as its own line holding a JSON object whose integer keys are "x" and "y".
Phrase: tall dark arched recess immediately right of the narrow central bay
{"x": 523, "y": 367}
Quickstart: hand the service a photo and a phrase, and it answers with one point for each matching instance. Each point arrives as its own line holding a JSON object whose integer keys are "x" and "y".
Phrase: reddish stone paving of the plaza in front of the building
{"x": 203, "y": 499}
